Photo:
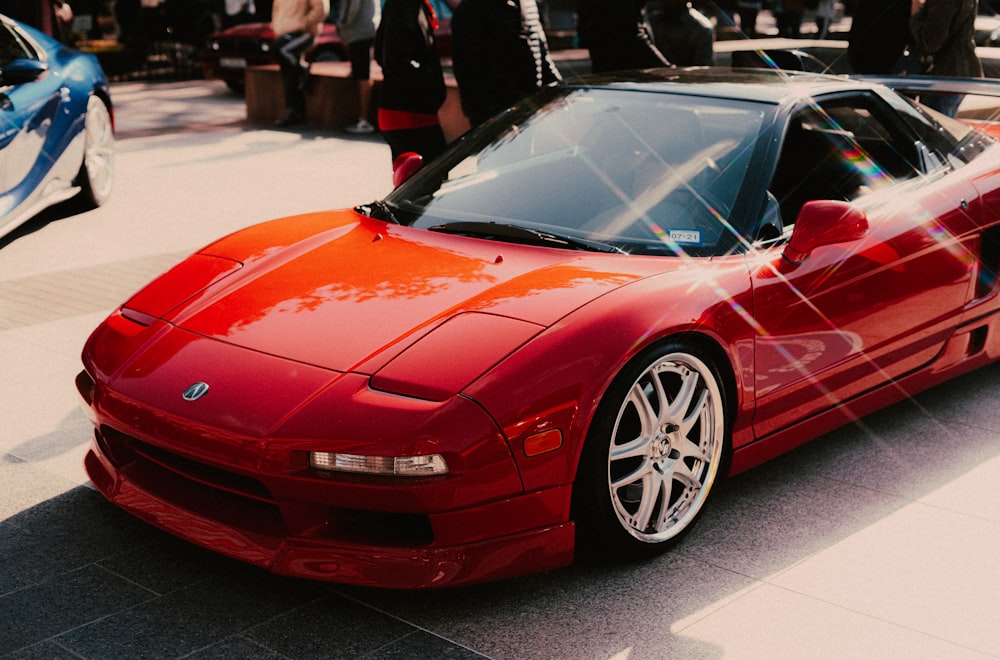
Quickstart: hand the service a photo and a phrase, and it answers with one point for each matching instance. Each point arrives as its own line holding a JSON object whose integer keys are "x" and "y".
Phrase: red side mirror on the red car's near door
{"x": 824, "y": 222}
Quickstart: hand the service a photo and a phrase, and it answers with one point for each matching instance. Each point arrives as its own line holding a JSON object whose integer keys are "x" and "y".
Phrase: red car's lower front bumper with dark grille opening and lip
{"x": 307, "y": 529}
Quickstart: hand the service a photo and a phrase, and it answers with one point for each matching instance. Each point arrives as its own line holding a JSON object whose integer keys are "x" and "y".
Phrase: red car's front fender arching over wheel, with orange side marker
{"x": 545, "y": 395}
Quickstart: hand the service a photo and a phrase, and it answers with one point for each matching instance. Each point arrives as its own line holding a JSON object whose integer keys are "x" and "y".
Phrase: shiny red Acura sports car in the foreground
{"x": 560, "y": 334}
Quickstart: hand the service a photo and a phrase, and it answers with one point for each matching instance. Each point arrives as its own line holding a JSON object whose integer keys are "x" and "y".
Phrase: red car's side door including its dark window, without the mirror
{"x": 856, "y": 314}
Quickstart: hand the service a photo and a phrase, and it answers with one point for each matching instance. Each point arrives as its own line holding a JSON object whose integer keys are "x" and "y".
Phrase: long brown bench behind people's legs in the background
{"x": 332, "y": 97}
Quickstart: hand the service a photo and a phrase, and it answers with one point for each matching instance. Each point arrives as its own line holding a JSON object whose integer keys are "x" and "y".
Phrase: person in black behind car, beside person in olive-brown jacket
{"x": 878, "y": 37}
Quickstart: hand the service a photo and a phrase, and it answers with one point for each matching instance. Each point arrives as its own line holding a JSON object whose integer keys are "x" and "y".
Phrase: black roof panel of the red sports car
{"x": 762, "y": 85}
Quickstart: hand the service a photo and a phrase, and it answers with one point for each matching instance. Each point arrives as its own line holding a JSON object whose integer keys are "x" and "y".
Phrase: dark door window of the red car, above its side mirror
{"x": 839, "y": 150}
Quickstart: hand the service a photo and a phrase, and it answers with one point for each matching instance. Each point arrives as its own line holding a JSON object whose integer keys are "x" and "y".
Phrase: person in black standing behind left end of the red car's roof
{"x": 616, "y": 35}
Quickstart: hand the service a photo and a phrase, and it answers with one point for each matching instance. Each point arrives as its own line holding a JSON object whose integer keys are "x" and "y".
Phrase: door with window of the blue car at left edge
{"x": 28, "y": 108}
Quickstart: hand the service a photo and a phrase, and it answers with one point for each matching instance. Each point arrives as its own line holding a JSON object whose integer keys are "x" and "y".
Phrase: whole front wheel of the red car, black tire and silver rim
{"x": 655, "y": 449}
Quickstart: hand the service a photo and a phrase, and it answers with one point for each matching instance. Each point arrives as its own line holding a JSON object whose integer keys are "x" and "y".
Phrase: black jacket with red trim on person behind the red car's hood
{"x": 412, "y": 79}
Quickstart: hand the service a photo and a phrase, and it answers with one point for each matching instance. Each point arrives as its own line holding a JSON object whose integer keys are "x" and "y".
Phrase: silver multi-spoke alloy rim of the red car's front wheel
{"x": 666, "y": 447}
